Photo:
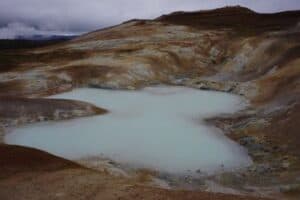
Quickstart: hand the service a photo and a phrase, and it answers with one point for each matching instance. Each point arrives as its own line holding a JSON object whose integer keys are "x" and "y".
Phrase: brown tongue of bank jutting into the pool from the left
{"x": 17, "y": 111}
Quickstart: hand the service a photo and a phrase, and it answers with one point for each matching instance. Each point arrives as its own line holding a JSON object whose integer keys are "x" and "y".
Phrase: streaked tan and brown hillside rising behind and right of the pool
{"x": 231, "y": 49}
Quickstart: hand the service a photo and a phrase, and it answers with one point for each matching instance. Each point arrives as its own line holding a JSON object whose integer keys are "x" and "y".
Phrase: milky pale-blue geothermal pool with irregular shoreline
{"x": 161, "y": 128}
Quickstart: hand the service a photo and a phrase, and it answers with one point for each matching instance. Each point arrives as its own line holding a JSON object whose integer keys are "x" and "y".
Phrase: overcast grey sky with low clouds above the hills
{"x": 27, "y": 17}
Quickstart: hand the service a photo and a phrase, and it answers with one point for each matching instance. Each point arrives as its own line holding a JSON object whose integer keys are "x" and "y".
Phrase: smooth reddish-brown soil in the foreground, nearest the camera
{"x": 31, "y": 174}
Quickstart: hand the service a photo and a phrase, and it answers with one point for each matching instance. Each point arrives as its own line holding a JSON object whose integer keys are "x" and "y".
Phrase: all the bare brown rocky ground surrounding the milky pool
{"x": 231, "y": 49}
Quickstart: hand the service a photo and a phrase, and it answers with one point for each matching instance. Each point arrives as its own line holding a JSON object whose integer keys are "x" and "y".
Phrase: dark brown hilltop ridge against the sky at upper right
{"x": 241, "y": 19}
